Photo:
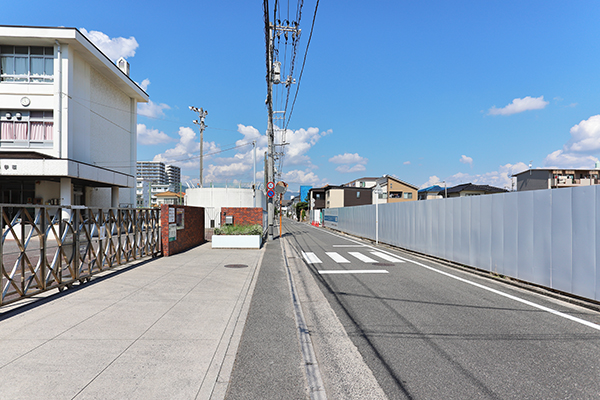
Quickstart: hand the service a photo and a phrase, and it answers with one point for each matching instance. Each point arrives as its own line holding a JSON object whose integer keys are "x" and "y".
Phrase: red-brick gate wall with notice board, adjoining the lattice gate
{"x": 190, "y": 236}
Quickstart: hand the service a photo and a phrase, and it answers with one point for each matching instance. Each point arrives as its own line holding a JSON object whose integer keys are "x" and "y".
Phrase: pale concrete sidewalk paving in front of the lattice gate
{"x": 163, "y": 329}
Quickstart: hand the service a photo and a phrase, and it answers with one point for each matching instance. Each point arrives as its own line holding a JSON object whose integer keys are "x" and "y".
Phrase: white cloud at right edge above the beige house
{"x": 578, "y": 151}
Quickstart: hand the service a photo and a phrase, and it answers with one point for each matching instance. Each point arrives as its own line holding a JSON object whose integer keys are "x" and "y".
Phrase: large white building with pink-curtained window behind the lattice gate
{"x": 68, "y": 118}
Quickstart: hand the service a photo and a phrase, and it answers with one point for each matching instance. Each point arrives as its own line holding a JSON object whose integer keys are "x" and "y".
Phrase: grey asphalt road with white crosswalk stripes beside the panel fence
{"x": 429, "y": 331}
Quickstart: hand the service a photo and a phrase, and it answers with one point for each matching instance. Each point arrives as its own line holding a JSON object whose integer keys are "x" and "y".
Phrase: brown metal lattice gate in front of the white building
{"x": 47, "y": 247}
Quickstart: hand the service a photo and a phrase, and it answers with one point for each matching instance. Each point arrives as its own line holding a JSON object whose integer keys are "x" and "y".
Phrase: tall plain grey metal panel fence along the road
{"x": 547, "y": 237}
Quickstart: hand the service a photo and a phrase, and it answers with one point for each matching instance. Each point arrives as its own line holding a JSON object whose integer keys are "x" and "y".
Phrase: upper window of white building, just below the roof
{"x": 26, "y": 64}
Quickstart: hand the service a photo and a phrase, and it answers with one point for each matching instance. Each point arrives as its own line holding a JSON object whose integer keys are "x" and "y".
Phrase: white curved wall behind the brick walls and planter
{"x": 212, "y": 199}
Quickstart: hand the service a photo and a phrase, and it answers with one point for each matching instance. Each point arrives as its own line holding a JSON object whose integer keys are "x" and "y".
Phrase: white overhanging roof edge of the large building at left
{"x": 46, "y": 36}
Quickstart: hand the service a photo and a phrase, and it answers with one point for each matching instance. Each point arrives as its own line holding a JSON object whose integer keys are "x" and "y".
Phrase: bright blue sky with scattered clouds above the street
{"x": 461, "y": 91}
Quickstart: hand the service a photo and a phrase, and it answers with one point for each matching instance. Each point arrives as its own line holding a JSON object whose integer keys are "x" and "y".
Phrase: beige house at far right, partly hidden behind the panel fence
{"x": 553, "y": 178}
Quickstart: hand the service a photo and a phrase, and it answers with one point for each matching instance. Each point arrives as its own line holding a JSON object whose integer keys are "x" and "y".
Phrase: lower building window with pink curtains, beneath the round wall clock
{"x": 25, "y": 128}
